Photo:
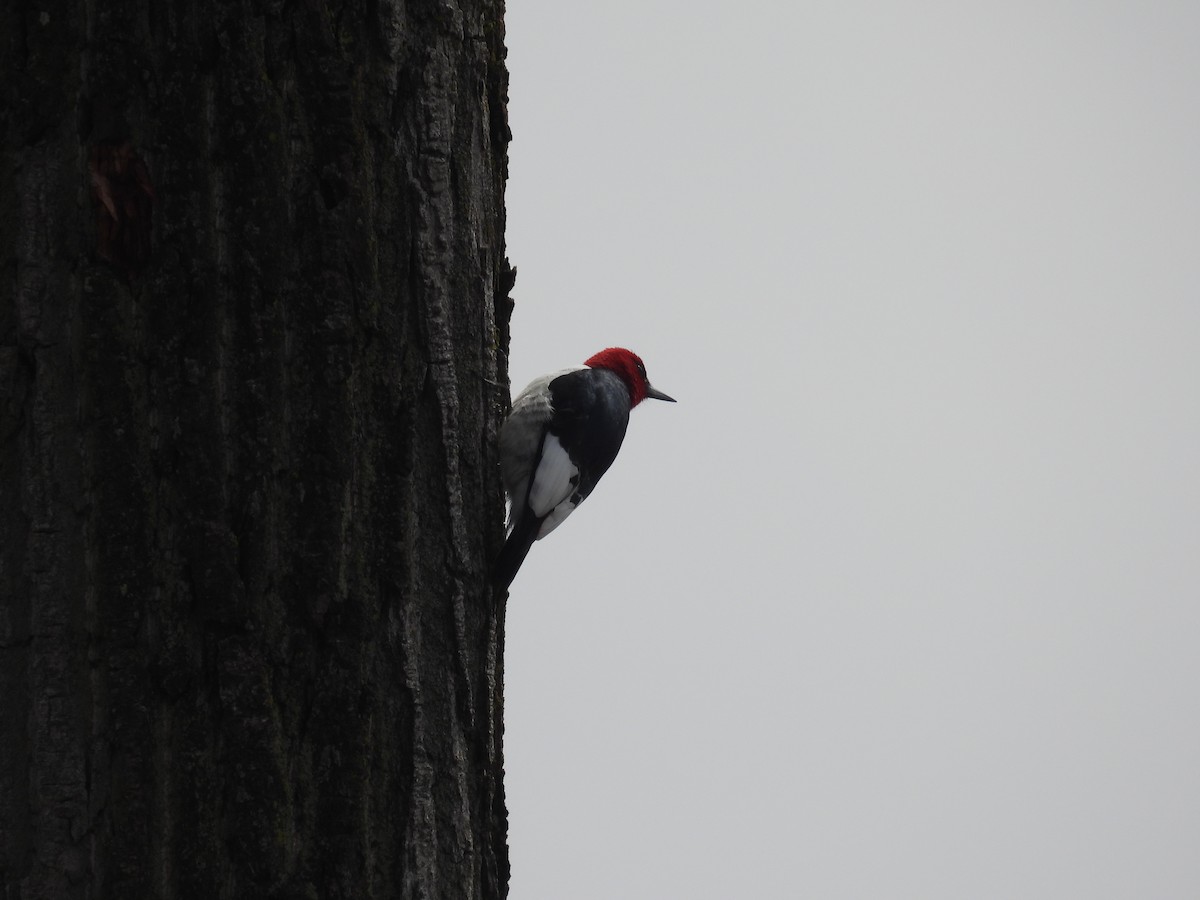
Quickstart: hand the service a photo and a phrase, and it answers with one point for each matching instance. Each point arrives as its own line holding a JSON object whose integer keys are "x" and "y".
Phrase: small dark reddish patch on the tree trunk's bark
{"x": 124, "y": 201}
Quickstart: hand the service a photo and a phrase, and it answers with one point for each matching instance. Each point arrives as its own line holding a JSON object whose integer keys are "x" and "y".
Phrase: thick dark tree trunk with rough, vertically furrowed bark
{"x": 253, "y": 323}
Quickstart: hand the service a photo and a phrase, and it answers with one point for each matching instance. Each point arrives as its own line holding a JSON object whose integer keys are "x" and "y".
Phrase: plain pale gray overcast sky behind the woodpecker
{"x": 903, "y": 598}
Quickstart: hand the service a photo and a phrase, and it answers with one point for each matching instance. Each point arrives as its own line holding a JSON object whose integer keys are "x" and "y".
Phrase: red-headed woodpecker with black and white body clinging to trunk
{"x": 563, "y": 434}
